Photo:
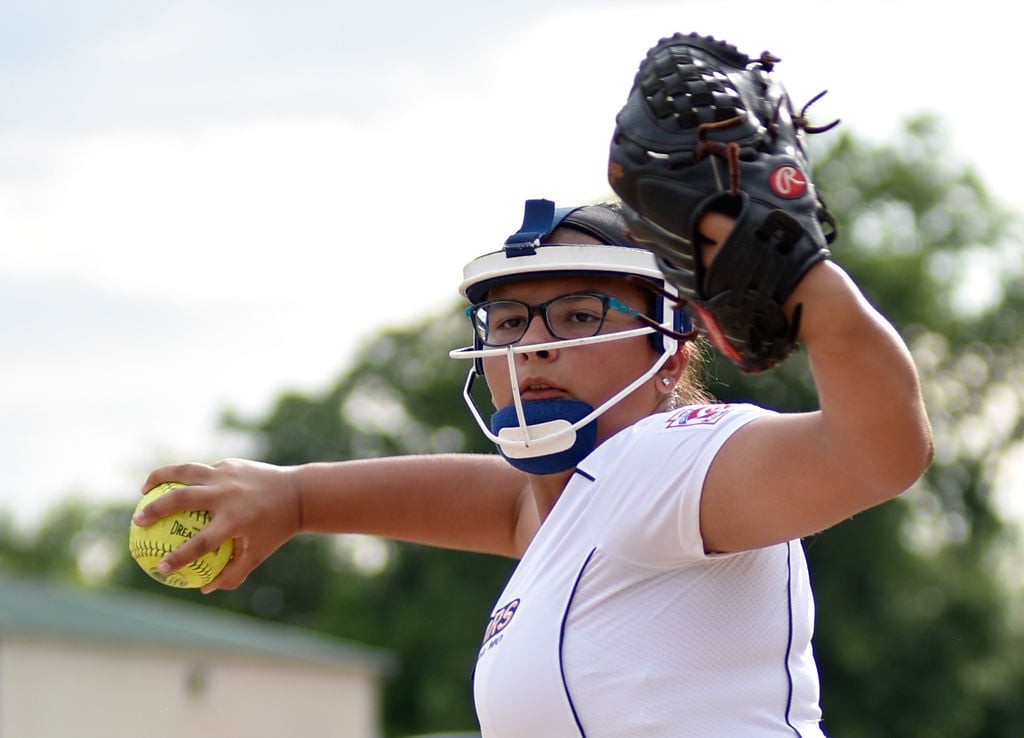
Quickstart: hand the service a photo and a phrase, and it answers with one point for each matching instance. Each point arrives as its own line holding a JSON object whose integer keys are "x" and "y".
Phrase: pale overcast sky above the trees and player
{"x": 205, "y": 204}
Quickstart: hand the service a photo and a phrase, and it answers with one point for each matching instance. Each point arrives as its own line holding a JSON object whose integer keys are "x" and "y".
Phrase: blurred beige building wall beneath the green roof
{"x": 52, "y": 688}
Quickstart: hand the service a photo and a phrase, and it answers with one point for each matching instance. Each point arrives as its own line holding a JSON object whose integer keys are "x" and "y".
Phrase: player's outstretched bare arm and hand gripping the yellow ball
{"x": 466, "y": 502}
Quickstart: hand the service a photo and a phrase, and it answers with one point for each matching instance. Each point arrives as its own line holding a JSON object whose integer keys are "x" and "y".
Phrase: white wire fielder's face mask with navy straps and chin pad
{"x": 549, "y": 437}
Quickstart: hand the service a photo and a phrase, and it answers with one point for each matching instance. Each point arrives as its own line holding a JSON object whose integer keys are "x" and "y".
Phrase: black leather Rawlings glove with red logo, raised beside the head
{"x": 707, "y": 128}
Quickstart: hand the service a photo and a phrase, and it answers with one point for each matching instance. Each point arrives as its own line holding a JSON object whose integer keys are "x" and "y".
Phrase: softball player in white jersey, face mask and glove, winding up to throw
{"x": 662, "y": 588}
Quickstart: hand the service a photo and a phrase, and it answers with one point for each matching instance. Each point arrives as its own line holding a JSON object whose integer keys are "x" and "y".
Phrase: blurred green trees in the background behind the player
{"x": 917, "y": 636}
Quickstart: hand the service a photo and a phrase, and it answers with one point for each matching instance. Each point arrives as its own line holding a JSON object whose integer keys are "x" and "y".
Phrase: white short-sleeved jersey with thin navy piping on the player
{"x": 617, "y": 624}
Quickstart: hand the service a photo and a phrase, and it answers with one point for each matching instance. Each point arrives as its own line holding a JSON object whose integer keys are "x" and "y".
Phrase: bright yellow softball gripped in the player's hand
{"x": 150, "y": 545}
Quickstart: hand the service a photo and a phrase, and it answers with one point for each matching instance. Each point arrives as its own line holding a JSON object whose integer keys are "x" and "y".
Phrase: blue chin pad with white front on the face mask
{"x": 545, "y": 417}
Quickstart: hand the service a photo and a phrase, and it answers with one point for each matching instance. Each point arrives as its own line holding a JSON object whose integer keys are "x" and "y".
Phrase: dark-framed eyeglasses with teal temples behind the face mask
{"x": 502, "y": 323}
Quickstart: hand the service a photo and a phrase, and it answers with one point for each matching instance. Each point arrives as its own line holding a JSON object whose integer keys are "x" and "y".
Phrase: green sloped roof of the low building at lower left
{"x": 123, "y": 618}
